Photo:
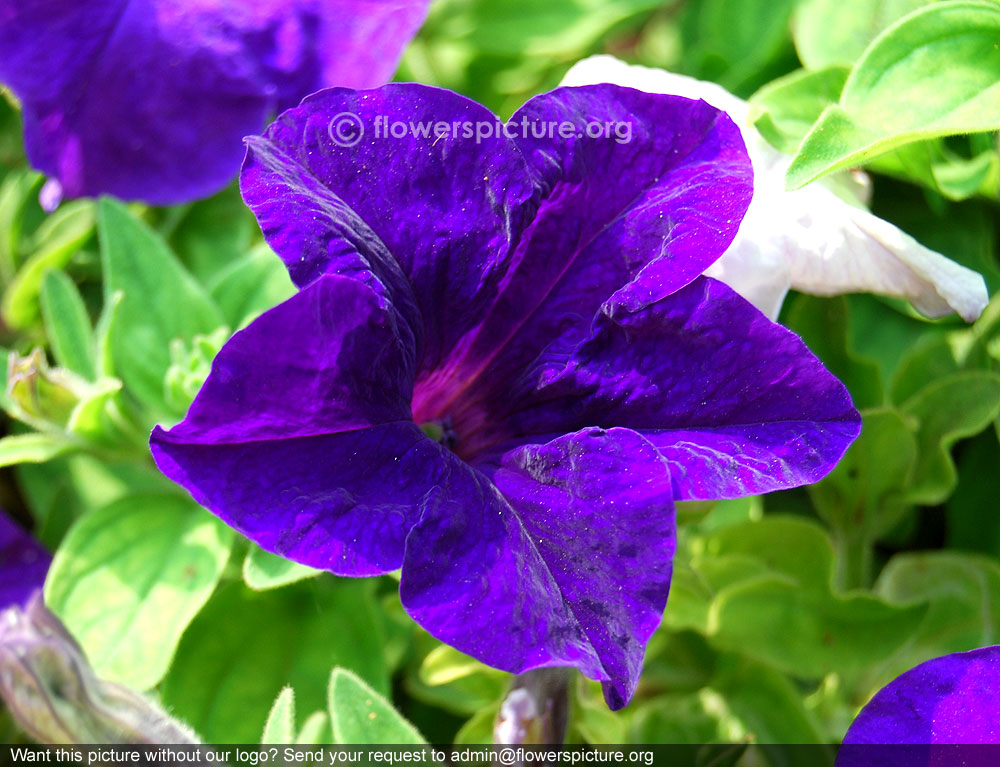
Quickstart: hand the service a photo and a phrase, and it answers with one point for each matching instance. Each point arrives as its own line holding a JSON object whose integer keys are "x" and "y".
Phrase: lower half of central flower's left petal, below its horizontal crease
{"x": 340, "y": 502}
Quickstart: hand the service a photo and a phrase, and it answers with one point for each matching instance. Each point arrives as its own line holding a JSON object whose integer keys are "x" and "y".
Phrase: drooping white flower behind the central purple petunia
{"x": 809, "y": 239}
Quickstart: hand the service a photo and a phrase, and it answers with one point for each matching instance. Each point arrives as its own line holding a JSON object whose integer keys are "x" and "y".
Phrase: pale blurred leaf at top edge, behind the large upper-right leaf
{"x": 828, "y": 33}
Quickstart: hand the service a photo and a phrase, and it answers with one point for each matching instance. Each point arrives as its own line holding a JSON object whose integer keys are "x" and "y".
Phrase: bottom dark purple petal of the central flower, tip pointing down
{"x": 570, "y": 567}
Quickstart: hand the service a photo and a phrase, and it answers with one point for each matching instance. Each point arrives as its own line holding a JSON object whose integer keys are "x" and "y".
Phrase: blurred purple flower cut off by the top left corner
{"x": 150, "y": 99}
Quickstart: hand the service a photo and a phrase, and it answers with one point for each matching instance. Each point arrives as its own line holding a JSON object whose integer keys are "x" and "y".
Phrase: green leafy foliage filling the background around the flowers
{"x": 786, "y": 612}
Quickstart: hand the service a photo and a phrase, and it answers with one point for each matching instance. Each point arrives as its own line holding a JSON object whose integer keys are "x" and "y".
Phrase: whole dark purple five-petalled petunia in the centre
{"x": 502, "y": 366}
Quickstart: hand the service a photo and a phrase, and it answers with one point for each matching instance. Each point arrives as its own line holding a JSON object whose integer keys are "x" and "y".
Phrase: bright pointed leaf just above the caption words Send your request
{"x": 360, "y": 715}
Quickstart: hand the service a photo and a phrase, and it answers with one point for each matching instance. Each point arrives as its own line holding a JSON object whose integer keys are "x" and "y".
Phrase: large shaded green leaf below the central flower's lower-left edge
{"x": 245, "y": 646}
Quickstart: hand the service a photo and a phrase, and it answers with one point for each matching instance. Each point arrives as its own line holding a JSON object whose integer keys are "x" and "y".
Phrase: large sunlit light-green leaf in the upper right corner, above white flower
{"x": 934, "y": 73}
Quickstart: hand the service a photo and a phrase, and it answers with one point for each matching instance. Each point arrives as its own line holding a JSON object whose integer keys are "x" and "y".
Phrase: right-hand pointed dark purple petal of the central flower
{"x": 736, "y": 404}
